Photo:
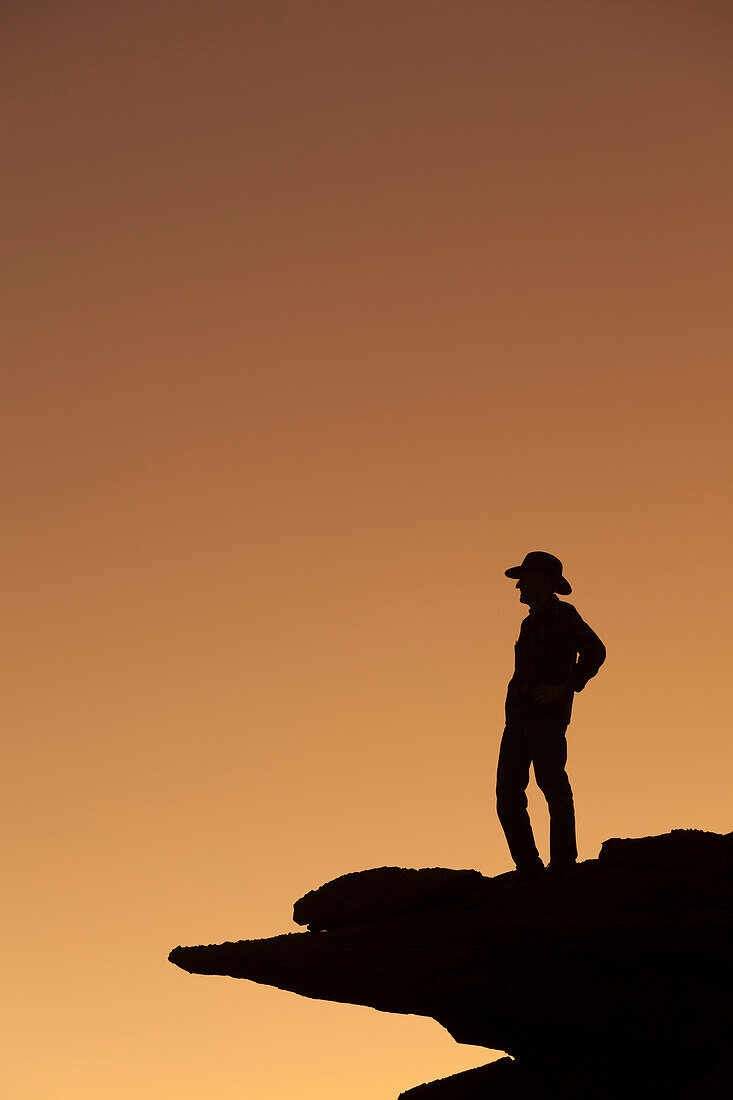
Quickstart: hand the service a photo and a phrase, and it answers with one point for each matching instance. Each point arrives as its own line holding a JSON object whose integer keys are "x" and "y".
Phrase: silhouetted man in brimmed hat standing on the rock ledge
{"x": 556, "y": 655}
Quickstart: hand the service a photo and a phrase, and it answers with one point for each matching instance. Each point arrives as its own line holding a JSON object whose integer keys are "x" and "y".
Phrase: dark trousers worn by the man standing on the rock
{"x": 542, "y": 743}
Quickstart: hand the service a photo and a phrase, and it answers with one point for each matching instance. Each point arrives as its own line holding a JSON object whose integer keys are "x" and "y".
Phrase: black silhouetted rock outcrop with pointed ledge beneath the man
{"x": 614, "y": 981}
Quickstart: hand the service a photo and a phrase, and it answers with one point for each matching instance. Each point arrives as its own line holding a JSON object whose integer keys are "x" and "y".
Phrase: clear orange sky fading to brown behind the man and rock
{"x": 319, "y": 316}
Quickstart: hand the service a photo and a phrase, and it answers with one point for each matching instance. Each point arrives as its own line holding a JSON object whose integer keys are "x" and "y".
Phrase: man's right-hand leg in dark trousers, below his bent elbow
{"x": 550, "y": 754}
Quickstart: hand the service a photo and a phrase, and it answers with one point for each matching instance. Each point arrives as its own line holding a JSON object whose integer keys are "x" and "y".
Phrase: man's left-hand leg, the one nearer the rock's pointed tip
{"x": 512, "y": 779}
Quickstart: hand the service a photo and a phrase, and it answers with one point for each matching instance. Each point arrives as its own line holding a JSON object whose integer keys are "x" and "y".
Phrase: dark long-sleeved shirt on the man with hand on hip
{"x": 555, "y": 648}
